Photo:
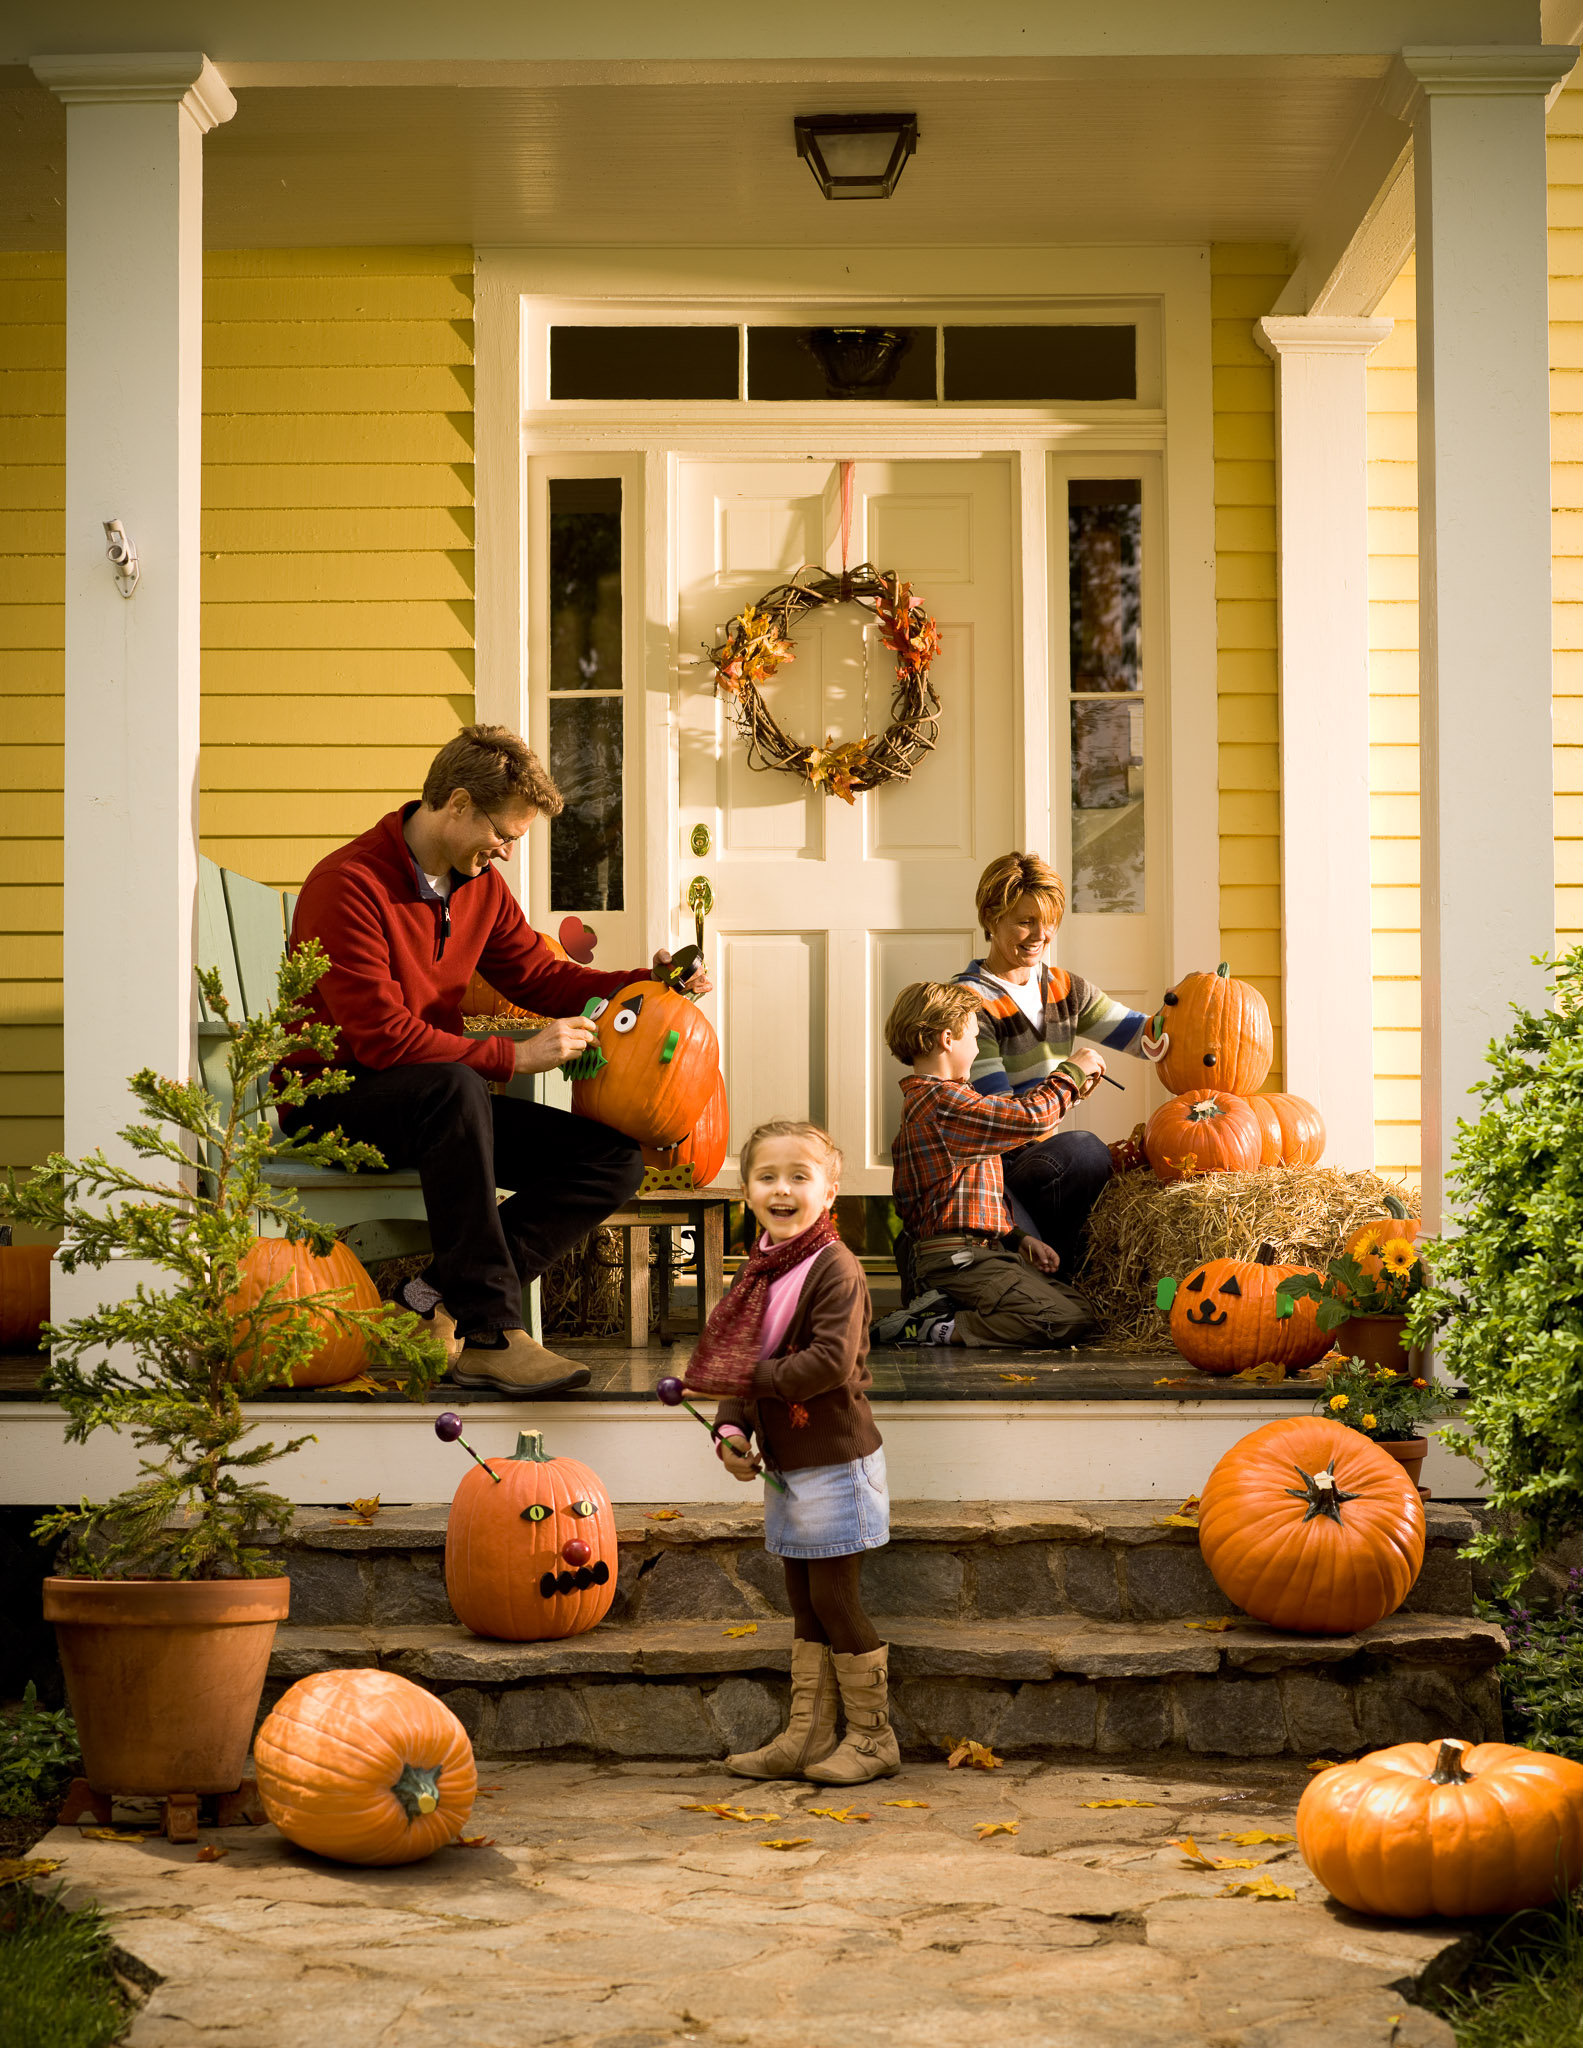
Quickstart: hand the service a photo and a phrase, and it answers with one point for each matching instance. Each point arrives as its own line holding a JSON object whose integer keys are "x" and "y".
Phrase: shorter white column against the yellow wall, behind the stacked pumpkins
{"x": 1324, "y": 720}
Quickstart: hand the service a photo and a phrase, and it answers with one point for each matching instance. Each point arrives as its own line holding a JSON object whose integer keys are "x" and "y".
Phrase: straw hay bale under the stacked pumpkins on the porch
{"x": 1142, "y": 1230}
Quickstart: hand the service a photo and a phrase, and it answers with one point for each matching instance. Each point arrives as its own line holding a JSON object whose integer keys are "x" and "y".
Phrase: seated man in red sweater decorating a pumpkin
{"x": 409, "y": 914}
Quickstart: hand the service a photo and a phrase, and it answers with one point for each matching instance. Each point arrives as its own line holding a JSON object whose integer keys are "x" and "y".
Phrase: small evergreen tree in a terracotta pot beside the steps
{"x": 165, "y": 1601}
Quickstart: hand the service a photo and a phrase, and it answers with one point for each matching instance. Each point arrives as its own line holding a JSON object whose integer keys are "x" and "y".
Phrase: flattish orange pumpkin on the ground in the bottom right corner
{"x": 1445, "y": 1828}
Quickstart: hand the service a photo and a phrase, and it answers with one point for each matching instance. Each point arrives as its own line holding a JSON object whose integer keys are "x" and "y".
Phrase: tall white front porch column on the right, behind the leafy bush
{"x": 1484, "y": 435}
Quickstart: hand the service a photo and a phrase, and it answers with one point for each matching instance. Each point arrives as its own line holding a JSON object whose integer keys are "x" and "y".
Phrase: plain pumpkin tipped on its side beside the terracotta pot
{"x": 366, "y": 1766}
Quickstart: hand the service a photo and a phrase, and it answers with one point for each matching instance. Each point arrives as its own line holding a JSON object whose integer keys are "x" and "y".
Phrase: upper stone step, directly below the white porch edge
{"x": 947, "y": 1562}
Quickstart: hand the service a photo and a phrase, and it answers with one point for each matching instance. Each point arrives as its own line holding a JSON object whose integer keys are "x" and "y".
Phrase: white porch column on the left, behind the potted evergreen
{"x": 134, "y": 415}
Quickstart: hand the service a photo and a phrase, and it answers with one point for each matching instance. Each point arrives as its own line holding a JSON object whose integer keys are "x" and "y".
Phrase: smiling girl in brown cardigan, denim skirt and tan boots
{"x": 787, "y": 1349}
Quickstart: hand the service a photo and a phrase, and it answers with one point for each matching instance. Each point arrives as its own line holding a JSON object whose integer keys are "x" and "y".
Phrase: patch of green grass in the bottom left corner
{"x": 56, "y": 1981}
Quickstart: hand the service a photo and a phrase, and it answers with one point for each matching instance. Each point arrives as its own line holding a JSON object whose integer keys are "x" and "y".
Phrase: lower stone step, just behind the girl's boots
{"x": 691, "y": 1689}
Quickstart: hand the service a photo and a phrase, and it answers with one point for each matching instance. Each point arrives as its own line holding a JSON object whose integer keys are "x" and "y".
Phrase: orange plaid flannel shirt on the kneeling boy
{"x": 947, "y": 1154}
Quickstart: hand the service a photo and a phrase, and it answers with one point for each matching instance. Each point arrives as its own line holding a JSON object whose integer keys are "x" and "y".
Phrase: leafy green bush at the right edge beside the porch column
{"x": 1506, "y": 1306}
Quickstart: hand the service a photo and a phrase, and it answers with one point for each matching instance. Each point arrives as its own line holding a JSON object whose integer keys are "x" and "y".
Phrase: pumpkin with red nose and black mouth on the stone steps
{"x": 531, "y": 1555}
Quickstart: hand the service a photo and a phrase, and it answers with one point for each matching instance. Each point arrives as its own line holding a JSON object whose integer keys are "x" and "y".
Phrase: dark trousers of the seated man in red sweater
{"x": 566, "y": 1175}
